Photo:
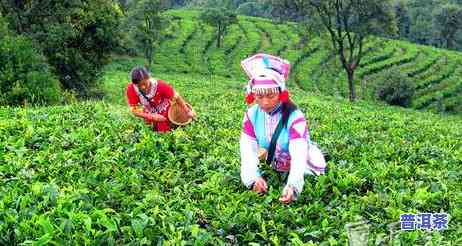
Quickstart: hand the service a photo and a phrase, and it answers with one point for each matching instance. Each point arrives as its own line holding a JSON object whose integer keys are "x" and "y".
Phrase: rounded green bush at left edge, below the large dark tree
{"x": 25, "y": 77}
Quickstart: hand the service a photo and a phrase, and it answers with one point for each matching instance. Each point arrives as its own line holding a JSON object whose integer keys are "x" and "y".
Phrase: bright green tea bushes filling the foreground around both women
{"x": 90, "y": 173}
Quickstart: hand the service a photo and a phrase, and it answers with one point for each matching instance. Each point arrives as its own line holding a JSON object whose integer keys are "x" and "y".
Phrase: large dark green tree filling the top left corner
{"x": 75, "y": 36}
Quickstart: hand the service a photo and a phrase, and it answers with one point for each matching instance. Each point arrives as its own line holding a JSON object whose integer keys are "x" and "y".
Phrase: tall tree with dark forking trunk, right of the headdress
{"x": 348, "y": 24}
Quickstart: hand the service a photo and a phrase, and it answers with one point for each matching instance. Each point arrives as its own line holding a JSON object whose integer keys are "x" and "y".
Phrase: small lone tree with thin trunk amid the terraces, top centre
{"x": 221, "y": 19}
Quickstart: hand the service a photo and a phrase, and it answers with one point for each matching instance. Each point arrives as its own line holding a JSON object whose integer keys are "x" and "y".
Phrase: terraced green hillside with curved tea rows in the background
{"x": 192, "y": 49}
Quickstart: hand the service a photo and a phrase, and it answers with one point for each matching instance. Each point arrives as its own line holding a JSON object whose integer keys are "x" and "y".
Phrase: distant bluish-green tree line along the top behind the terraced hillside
{"x": 429, "y": 22}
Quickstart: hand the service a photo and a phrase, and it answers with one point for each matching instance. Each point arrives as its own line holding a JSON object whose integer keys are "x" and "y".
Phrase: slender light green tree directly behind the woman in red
{"x": 150, "y": 24}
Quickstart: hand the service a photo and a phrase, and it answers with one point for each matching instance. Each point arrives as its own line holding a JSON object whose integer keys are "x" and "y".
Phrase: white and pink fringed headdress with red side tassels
{"x": 267, "y": 74}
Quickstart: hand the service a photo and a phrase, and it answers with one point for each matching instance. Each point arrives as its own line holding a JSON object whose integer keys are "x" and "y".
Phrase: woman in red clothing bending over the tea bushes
{"x": 155, "y": 96}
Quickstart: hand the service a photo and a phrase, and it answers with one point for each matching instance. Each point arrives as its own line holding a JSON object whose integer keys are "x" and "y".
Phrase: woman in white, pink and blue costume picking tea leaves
{"x": 290, "y": 151}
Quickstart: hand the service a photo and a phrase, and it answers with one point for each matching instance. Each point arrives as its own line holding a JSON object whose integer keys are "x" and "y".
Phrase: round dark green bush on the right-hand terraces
{"x": 395, "y": 88}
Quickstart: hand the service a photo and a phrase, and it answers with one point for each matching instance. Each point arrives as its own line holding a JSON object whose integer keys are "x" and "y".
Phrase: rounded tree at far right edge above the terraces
{"x": 447, "y": 21}
